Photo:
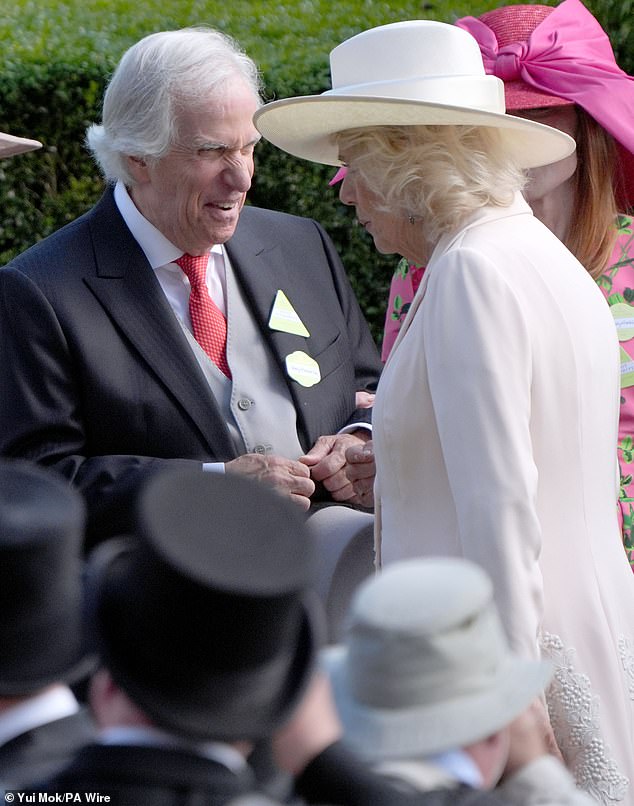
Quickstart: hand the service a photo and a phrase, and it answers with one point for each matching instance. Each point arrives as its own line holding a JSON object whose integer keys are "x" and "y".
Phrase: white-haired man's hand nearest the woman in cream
{"x": 328, "y": 464}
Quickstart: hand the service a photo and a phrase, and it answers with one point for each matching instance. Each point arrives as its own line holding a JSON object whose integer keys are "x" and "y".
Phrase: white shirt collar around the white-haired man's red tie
{"x": 161, "y": 254}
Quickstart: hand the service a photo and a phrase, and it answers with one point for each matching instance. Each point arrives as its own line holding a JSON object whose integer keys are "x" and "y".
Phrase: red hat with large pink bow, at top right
{"x": 560, "y": 56}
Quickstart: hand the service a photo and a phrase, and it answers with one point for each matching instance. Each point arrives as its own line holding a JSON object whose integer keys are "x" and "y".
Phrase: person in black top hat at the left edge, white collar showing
{"x": 41, "y": 533}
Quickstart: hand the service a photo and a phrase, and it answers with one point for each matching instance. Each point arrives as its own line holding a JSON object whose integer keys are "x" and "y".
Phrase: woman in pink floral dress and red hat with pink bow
{"x": 558, "y": 67}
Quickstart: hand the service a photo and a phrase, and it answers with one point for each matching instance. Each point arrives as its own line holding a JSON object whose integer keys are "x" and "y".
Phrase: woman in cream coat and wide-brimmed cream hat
{"x": 497, "y": 411}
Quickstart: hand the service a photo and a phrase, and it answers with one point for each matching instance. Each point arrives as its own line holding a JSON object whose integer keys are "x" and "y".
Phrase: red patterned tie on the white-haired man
{"x": 210, "y": 326}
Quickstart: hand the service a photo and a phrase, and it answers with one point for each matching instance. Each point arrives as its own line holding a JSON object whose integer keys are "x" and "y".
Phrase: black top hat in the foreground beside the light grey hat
{"x": 202, "y": 617}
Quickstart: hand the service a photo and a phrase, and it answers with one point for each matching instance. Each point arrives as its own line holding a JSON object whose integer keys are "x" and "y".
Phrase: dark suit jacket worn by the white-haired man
{"x": 96, "y": 376}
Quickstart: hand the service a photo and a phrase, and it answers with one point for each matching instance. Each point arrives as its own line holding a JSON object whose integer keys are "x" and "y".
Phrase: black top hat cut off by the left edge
{"x": 41, "y": 535}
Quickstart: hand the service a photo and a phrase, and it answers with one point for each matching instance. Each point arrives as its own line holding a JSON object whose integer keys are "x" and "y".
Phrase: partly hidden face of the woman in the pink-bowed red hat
{"x": 558, "y": 176}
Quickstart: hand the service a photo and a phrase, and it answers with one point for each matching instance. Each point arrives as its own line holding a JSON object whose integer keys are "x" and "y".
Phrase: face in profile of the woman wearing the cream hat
{"x": 391, "y": 233}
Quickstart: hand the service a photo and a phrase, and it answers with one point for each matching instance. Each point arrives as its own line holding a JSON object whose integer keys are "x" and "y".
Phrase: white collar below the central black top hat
{"x": 149, "y": 736}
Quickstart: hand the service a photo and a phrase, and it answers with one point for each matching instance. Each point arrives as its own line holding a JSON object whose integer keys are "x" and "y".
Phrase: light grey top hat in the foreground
{"x": 426, "y": 667}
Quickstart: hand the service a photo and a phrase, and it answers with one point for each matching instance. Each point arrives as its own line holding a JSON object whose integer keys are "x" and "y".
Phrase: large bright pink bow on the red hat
{"x": 568, "y": 55}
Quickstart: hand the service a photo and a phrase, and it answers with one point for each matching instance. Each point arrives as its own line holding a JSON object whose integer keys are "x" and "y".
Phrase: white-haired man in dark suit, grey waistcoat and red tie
{"x": 171, "y": 325}
